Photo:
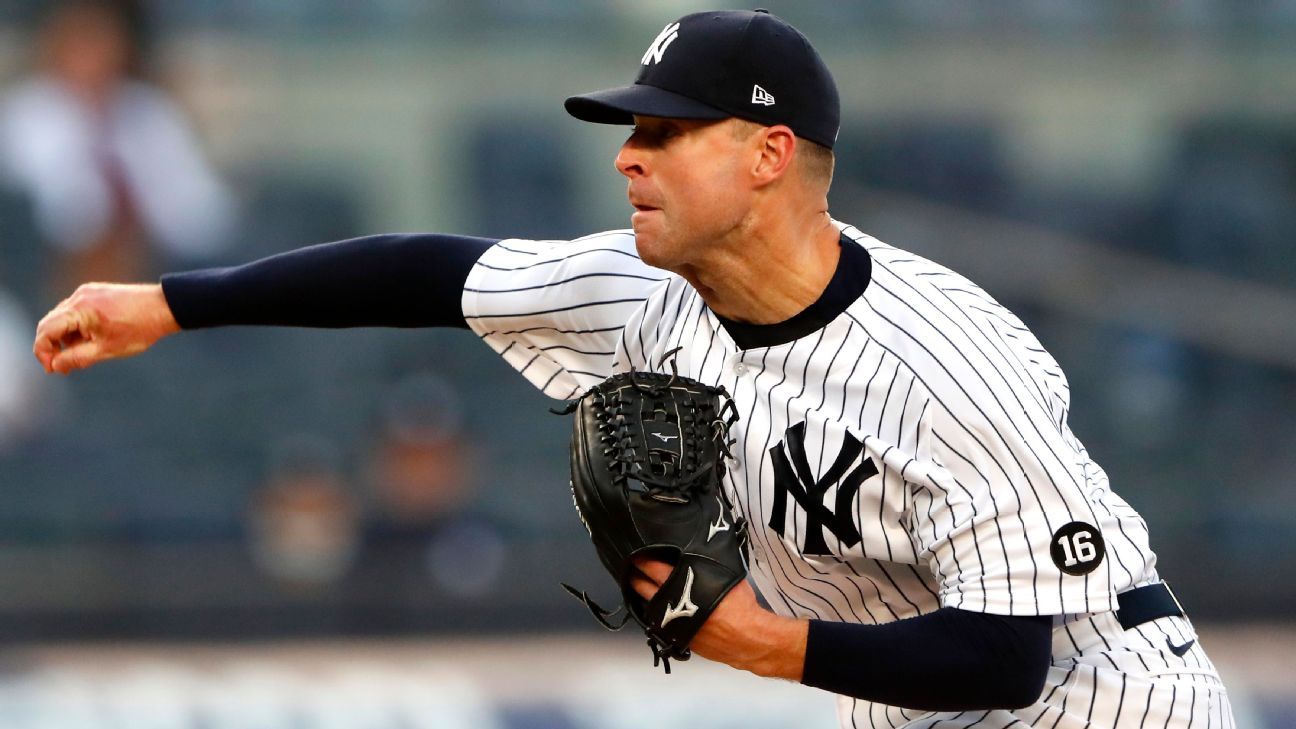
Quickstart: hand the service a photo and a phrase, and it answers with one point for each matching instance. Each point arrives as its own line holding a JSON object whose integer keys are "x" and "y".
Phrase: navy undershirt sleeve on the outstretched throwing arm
{"x": 382, "y": 281}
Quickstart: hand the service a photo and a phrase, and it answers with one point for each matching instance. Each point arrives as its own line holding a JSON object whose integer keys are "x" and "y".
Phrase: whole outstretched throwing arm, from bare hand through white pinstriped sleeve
{"x": 553, "y": 309}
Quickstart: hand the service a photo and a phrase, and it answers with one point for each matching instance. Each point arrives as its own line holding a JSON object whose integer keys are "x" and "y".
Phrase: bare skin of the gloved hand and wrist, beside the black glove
{"x": 739, "y": 632}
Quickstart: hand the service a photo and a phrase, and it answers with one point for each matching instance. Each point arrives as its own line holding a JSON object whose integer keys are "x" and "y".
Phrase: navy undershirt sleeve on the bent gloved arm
{"x": 945, "y": 661}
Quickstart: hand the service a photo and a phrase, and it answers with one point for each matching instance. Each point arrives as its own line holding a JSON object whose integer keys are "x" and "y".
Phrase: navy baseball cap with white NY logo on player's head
{"x": 720, "y": 64}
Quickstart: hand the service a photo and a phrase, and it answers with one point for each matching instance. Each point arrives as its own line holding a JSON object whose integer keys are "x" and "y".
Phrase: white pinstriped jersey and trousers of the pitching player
{"x": 910, "y": 455}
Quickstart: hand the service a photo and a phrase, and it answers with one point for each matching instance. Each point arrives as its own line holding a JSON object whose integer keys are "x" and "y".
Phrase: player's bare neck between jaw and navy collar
{"x": 774, "y": 272}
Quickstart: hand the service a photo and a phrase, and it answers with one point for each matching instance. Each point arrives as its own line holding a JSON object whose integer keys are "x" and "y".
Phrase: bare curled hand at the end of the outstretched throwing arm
{"x": 102, "y": 322}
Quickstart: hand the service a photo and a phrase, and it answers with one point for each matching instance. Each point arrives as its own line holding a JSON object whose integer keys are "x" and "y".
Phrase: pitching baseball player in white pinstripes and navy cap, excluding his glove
{"x": 935, "y": 544}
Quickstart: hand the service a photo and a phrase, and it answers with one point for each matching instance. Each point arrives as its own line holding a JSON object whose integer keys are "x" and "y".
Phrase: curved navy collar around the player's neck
{"x": 851, "y": 280}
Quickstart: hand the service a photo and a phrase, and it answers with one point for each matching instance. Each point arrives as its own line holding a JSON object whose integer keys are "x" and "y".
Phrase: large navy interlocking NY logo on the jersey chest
{"x": 794, "y": 477}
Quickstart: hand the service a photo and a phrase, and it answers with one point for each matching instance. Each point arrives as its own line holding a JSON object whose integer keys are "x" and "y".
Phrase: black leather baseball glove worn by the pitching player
{"x": 647, "y": 465}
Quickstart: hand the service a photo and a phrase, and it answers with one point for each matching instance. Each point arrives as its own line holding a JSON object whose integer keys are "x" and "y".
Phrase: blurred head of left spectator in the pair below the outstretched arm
{"x": 304, "y": 523}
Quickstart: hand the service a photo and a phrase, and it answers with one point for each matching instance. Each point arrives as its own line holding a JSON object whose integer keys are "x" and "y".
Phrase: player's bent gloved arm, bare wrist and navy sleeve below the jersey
{"x": 945, "y": 661}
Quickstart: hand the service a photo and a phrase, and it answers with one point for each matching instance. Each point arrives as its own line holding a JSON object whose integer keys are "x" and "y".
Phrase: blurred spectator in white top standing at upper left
{"x": 108, "y": 160}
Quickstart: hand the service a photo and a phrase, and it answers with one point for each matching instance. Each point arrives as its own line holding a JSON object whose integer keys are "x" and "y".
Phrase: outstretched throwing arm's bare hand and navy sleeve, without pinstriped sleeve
{"x": 387, "y": 281}
